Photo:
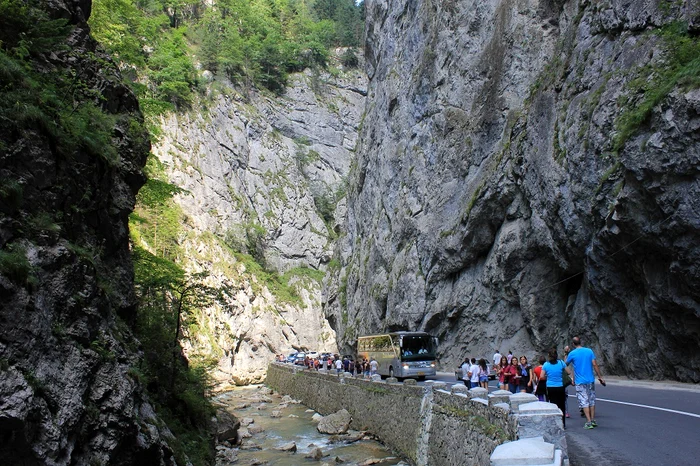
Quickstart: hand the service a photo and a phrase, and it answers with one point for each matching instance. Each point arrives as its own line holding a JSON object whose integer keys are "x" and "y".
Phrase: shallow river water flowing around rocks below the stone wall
{"x": 294, "y": 425}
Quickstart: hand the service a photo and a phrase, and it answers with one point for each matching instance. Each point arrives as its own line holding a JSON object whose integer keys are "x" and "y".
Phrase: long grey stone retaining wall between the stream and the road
{"x": 434, "y": 424}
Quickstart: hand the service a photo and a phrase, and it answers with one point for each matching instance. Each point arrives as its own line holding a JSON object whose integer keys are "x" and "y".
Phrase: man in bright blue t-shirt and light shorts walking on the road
{"x": 585, "y": 370}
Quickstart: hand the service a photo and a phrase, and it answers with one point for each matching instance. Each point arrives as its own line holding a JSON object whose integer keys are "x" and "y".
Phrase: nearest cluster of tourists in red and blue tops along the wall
{"x": 550, "y": 378}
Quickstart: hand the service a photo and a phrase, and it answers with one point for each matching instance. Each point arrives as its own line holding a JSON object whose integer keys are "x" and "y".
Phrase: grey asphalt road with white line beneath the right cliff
{"x": 659, "y": 425}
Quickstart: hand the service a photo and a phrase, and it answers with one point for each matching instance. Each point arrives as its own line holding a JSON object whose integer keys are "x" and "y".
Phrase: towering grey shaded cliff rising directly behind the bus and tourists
{"x": 528, "y": 171}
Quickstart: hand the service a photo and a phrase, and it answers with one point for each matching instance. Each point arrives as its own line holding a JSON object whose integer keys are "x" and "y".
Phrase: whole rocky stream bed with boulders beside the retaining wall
{"x": 277, "y": 430}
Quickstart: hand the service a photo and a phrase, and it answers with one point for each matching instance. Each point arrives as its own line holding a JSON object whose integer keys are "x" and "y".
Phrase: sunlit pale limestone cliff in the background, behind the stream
{"x": 264, "y": 175}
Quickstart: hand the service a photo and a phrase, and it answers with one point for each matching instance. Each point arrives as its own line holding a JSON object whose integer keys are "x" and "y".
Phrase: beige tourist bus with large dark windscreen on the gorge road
{"x": 400, "y": 354}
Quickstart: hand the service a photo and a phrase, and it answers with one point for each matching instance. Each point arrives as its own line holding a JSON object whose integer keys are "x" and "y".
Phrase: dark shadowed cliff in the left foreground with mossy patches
{"x": 66, "y": 392}
